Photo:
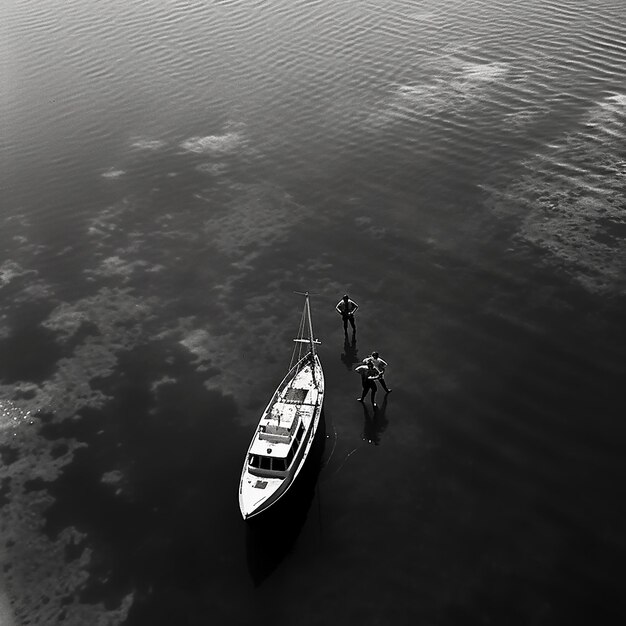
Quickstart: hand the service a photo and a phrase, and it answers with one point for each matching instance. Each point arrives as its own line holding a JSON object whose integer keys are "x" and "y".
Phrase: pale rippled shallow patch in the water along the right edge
{"x": 570, "y": 201}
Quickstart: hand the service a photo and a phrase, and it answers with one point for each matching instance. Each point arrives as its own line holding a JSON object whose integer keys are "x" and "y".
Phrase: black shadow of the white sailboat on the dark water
{"x": 272, "y": 535}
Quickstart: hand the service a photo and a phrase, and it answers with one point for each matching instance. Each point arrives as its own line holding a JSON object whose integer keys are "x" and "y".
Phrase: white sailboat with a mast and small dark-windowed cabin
{"x": 286, "y": 430}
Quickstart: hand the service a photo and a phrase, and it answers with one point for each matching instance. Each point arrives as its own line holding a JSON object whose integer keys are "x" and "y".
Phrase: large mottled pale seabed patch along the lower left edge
{"x": 42, "y": 585}
